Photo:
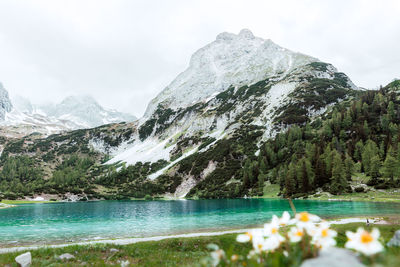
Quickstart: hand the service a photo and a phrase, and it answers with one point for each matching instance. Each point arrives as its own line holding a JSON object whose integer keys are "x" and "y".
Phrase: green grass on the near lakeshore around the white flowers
{"x": 174, "y": 252}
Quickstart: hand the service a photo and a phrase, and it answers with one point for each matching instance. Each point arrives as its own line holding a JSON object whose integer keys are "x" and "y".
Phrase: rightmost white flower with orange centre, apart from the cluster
{"x": 364, "y": 242}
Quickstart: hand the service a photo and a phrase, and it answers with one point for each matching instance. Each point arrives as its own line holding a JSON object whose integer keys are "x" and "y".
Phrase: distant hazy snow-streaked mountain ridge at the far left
{"x": 74, "y": 112}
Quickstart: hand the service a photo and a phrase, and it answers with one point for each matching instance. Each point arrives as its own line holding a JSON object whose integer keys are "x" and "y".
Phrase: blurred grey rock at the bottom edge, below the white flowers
{"x": 334, "y": 257}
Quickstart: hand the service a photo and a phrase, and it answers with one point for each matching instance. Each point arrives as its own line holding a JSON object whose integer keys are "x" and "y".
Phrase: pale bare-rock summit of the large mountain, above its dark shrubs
{"x": 232, "y": 59}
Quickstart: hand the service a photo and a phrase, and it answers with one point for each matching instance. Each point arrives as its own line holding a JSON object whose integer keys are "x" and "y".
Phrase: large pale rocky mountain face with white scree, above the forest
{"x": 236, "y": 80}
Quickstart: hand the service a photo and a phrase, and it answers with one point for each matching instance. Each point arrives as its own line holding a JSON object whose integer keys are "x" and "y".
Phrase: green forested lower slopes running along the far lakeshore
{"x": 358, "y": 135}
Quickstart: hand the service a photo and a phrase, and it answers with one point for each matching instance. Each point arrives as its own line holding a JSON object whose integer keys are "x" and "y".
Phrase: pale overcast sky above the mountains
{"x": 123, "y": 52}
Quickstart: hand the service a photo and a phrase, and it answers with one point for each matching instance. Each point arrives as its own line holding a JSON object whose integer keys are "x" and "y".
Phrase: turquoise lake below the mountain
{"x": 70, "y": 222}
